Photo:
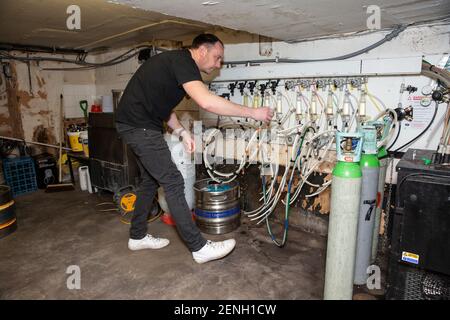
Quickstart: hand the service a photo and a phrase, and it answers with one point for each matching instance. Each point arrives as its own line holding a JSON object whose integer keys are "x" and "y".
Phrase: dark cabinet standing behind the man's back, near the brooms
{"x": 112, "y": 165}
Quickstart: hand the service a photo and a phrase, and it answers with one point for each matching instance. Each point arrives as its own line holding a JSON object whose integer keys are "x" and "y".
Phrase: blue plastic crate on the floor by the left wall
{"x": 20, "y": 175}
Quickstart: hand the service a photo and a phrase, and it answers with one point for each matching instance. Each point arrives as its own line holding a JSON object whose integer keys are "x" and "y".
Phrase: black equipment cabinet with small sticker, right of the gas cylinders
{"x": 419, "y": 262}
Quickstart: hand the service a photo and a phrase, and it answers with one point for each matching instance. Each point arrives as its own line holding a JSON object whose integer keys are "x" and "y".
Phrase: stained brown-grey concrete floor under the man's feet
{"x": 57, "y": 230}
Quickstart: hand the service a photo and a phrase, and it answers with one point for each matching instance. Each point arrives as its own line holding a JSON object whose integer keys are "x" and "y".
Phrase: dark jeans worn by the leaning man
{"x": 157, "y": 168}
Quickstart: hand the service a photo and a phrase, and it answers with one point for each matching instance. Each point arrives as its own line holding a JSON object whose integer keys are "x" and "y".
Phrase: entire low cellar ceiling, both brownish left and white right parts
{"x": 117, "y": 23}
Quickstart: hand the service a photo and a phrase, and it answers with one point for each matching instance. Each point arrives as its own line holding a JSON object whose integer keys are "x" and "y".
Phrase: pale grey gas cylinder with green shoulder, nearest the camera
{"x": 343, "y": 222}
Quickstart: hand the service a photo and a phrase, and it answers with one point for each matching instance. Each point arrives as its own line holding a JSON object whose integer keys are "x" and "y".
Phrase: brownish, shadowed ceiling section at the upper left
{"x": 103, "y": 24}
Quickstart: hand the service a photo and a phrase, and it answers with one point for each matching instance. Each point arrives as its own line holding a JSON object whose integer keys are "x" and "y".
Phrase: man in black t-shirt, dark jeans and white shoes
{"x": 148, "y": 100}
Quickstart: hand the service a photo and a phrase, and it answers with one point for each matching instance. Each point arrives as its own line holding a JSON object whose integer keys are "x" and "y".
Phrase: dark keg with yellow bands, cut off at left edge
{"x": 8, "y": 221}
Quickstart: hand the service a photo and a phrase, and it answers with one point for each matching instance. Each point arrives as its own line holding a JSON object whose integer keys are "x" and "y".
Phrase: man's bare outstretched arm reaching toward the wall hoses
{"x": 218, "y": 105}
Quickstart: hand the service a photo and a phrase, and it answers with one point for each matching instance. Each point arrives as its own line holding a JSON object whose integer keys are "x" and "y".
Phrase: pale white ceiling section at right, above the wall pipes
{"x": 296, "y": 20}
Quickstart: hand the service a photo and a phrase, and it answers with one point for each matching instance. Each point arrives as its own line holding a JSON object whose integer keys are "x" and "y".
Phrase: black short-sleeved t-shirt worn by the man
{"x": 156, "y": 88}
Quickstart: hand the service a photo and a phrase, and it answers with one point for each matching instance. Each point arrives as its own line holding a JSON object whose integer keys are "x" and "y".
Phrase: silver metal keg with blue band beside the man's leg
{"x": 217, "y": 209}
